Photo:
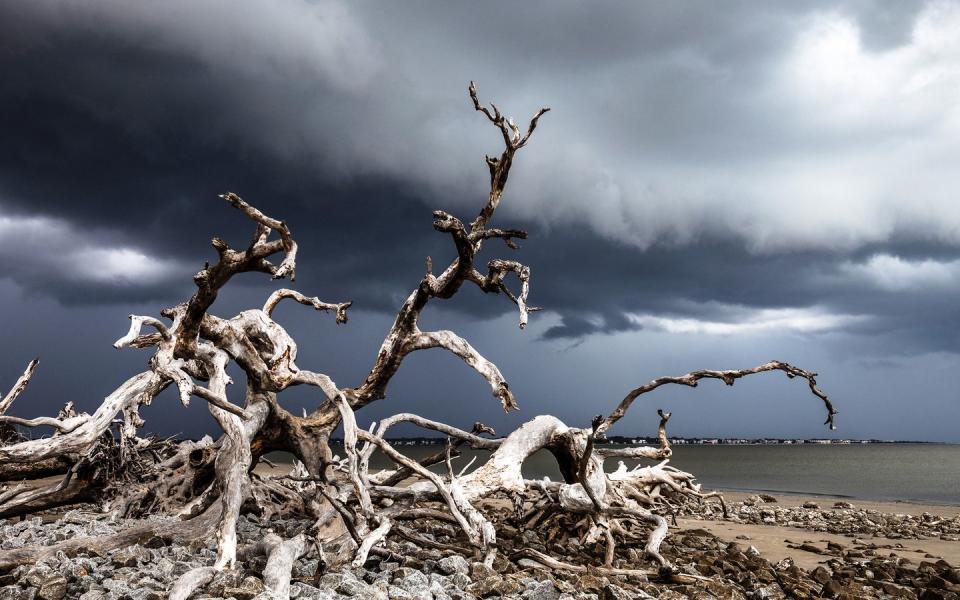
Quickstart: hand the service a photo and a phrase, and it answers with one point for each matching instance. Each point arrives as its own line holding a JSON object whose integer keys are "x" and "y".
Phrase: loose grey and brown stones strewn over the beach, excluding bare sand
{"x": 856, "y": 570}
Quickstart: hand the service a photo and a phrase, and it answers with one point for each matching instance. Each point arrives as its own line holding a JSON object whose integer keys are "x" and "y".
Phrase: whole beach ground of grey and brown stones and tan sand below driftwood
{"x": 768, "y": 547}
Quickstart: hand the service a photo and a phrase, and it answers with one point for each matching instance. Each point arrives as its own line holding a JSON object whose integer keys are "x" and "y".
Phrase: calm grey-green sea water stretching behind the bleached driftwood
{"x": 926, "y": 473}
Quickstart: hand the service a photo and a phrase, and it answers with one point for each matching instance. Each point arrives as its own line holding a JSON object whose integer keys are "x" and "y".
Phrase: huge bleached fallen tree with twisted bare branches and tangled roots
{"x": 187, "y": 490}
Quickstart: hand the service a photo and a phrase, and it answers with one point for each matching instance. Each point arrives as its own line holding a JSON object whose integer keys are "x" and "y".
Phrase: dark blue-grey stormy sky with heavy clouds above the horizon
{"x": 717, "y": 185}
